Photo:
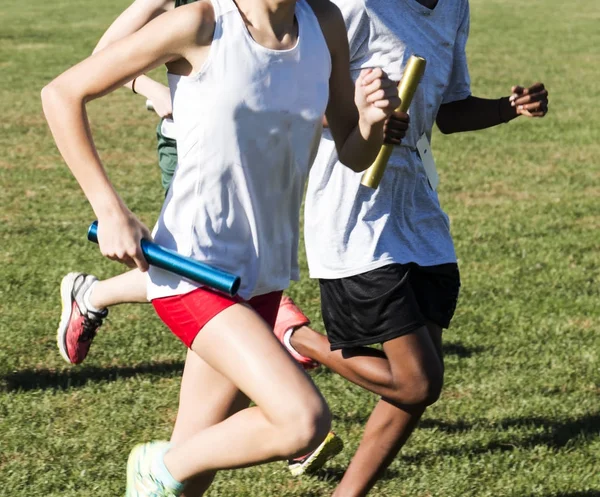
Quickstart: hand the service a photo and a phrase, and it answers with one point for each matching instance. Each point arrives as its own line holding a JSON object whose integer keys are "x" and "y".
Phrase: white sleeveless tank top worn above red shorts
{"x": 248, "y": 127}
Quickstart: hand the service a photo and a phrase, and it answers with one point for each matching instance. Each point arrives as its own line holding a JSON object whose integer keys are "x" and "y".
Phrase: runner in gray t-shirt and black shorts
{"x": 385, "y": 258}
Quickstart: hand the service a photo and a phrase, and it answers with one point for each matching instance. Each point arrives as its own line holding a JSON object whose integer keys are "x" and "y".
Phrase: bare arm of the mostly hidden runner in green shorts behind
{"x": 137, "y": 15}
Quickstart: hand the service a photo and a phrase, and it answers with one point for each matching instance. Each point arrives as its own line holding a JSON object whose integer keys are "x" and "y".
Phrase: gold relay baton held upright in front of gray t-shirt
{"x": 406, "y": 90}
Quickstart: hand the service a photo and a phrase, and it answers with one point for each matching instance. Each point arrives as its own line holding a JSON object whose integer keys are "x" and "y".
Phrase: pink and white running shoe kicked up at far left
{"x": 78, "y": 324}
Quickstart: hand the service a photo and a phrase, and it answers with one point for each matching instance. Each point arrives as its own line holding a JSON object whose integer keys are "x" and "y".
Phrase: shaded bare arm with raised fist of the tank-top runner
{"x": 355, "y": 113}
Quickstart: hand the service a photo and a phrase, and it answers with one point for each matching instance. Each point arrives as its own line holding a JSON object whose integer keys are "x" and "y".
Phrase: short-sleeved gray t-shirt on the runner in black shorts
{"x": 349, "y": 228}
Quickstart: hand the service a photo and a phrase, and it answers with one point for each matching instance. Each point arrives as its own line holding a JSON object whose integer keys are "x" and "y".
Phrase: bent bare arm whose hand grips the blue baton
{"x": 184, "y": 33}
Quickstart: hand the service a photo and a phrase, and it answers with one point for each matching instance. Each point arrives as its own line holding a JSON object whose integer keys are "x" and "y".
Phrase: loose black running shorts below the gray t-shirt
{"x": 388, "y": 302}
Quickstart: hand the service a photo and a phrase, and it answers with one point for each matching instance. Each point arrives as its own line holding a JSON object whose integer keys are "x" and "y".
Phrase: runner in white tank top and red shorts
{"x": 253, "y": 80}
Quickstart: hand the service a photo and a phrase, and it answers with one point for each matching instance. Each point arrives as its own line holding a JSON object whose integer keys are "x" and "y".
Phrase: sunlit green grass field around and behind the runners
{"x": 520, "y": 414}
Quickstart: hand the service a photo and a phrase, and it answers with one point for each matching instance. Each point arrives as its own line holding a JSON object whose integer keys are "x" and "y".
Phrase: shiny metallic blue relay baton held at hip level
{"x": 184, "y": 266}
